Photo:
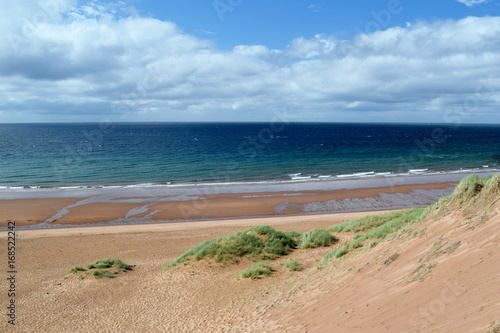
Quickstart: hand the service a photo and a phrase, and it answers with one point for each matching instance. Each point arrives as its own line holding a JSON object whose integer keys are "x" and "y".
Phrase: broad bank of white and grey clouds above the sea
{"x": 63, "y": 62}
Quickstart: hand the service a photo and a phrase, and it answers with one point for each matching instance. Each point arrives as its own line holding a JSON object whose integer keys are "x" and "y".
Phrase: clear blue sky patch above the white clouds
{"x": 276, "y": 23}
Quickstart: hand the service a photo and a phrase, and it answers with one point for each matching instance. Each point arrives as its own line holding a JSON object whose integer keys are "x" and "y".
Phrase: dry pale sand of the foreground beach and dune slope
{"x": 461, "y": 294}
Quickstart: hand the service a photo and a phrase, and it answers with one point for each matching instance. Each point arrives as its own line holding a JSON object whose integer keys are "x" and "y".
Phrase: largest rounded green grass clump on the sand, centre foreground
{"x": 255, "y": 243}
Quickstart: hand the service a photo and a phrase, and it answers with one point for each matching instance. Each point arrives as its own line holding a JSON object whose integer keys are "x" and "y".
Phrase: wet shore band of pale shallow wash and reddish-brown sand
{"x": 124, "y": 206}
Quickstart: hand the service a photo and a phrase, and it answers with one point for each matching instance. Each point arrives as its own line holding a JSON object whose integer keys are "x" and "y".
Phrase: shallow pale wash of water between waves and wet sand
{"x": 356, "y": 180}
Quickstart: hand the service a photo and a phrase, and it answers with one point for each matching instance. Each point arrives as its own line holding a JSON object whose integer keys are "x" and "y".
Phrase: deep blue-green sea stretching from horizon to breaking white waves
{"x": 114, "y": 154}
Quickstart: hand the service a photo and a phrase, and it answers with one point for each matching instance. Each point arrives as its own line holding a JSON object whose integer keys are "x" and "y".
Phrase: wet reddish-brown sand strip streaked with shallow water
{"x": 154, "y": 208}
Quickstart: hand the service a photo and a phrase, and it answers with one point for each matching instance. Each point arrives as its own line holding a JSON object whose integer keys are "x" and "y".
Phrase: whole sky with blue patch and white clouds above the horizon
{"x": 250, "y": 60}
